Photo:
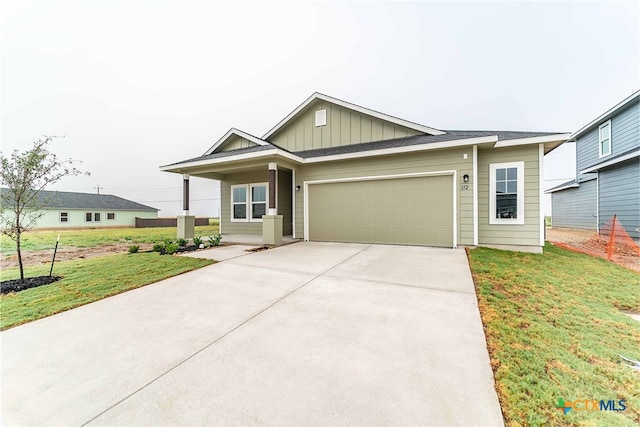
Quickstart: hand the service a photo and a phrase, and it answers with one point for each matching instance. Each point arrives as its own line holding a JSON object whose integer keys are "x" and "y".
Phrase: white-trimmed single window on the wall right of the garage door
{"x": 506, "y": 193}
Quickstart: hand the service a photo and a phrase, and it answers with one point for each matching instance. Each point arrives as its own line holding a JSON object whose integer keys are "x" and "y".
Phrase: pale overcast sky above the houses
{"x": 134, "y": 85}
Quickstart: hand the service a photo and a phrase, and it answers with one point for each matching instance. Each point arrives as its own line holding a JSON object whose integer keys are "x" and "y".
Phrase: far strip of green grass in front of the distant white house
{"x": 46, "y": 240}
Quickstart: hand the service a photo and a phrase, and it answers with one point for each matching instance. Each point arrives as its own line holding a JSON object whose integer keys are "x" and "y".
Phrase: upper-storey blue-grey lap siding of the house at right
{"x": 625, "y": 136}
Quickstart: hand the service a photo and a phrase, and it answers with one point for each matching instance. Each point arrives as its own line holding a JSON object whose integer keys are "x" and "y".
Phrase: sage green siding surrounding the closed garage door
{"x": 410, "y": 163}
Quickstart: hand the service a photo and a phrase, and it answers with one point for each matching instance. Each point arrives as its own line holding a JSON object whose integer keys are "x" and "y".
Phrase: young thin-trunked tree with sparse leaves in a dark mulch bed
{"x": 25, "y": 175}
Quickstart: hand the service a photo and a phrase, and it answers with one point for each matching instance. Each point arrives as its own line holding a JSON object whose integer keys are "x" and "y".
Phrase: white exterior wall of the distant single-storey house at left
{"x": 76, "y": 218}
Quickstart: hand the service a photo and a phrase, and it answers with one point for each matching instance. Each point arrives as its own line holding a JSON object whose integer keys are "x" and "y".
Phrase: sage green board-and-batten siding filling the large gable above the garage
{"x": 344, "y": 127}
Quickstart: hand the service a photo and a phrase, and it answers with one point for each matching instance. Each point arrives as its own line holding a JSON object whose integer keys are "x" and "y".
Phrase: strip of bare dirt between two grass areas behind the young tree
{"x": 67, "y": 254}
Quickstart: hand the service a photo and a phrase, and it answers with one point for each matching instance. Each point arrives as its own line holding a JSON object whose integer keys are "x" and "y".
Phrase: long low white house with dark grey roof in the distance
{"x": 66, "y": 209}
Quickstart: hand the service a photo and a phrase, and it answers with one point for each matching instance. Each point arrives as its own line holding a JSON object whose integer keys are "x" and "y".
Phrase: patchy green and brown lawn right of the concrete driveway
{"x": 554, "y": 330}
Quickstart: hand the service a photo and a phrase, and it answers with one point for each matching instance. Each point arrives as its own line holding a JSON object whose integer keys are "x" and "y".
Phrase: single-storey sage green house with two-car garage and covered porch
{"x": 335, "y": 171}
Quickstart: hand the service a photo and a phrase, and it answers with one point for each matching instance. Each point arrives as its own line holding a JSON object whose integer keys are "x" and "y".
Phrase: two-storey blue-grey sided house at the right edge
{"x": 607, "y": 173}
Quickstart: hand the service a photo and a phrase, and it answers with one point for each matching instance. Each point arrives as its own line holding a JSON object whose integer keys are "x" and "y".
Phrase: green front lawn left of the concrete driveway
{"x": 87, "y": 280}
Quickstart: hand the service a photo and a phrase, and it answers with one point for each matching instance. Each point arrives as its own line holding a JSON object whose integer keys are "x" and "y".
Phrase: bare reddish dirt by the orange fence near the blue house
{"x": 576, "y": 240}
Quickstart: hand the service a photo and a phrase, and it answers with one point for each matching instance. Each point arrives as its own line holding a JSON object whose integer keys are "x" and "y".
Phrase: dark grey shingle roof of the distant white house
{"x": 70, "y": 200}
